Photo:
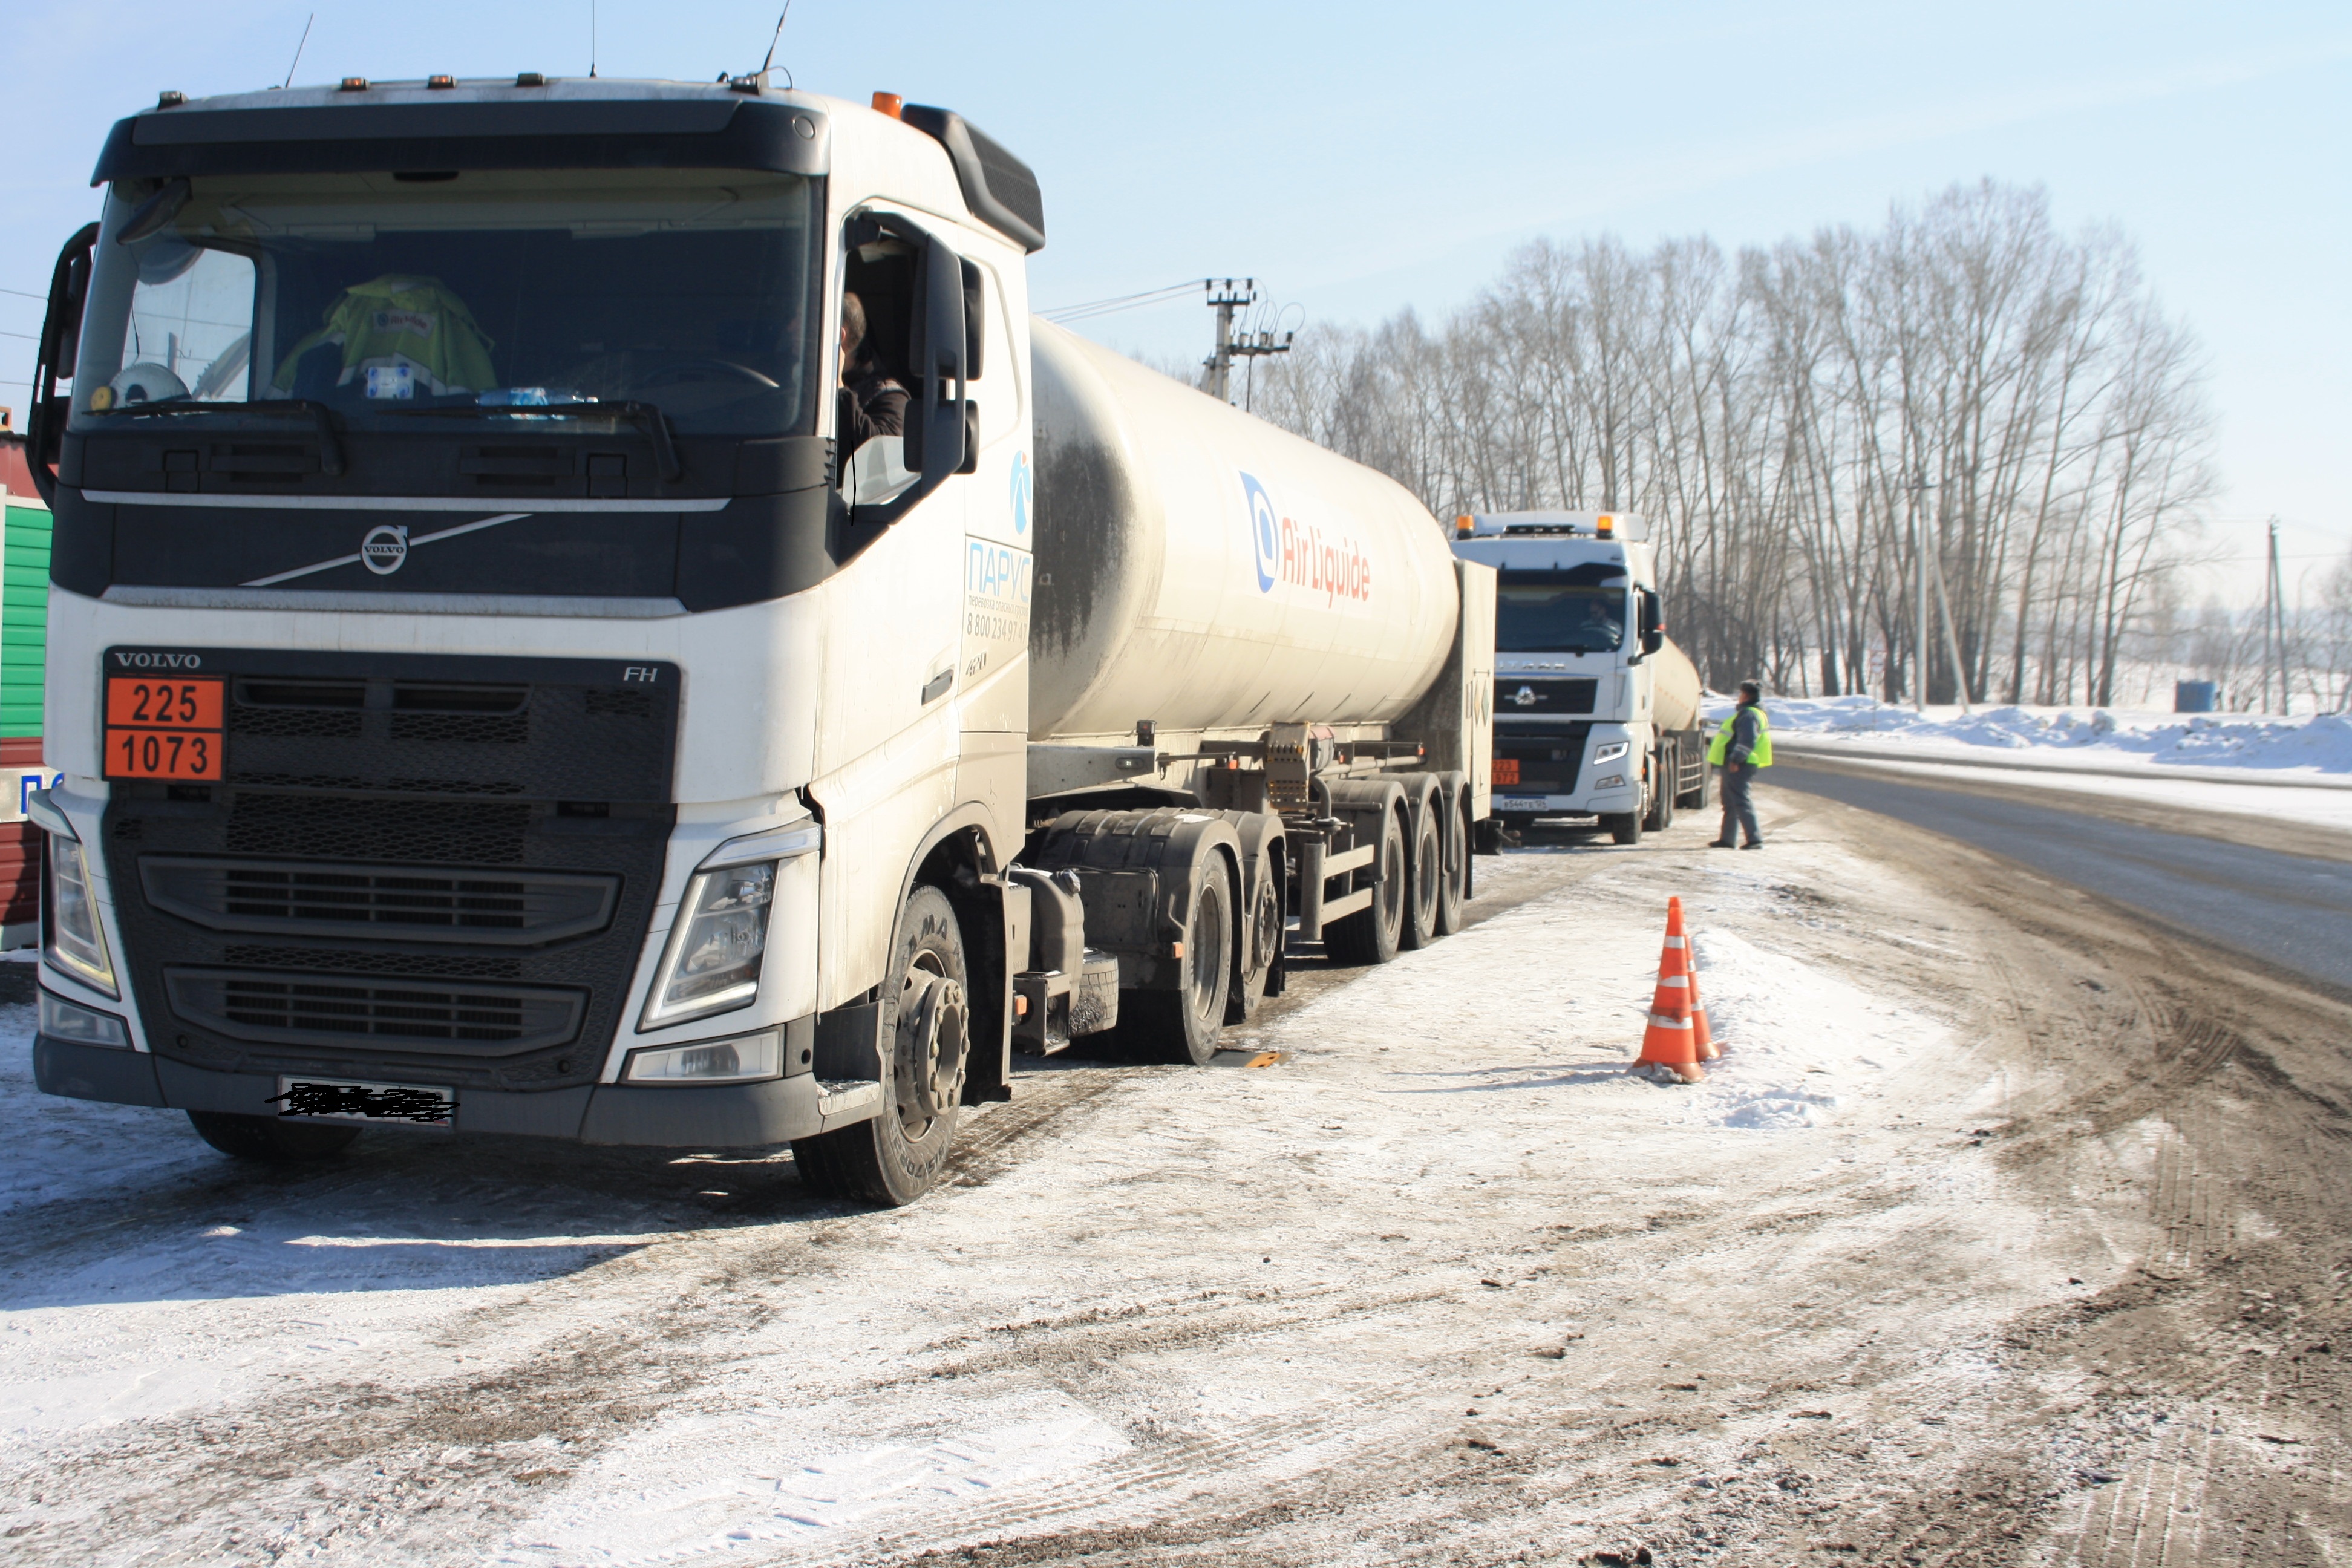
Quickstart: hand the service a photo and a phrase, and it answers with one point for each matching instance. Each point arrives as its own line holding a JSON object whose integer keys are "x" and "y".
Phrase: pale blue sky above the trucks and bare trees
{"x": 1358, "y": 159}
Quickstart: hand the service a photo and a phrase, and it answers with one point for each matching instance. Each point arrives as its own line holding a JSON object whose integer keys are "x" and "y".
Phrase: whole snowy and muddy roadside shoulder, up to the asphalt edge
{"x": 2005, "y": 1233}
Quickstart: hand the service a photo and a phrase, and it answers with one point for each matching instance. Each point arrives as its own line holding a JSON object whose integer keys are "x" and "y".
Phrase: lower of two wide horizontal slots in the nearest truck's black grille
{"x": 274, "y": 1007}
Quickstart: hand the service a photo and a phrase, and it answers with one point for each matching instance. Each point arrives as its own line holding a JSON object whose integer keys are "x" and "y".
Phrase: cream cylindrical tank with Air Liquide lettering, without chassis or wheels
{"x": 1210, "y": 572}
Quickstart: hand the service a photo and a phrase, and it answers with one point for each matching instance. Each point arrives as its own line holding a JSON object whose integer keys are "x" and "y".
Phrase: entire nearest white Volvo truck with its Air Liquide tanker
{"x": 493, "y": 699}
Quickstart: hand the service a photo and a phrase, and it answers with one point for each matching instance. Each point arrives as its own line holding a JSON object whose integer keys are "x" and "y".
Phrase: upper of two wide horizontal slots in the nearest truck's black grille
{"x": 403, "y": 904}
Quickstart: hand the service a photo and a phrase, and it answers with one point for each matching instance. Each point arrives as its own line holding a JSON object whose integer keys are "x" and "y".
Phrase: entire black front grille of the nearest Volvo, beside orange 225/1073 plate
{"x": 410, "y": 862}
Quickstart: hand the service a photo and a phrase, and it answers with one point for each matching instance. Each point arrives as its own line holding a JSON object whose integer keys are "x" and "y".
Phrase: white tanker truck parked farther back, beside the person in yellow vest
{"x": 1596, "y": 709}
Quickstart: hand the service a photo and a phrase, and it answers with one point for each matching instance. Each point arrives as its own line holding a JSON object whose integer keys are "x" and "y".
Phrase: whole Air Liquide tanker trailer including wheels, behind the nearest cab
{"x": 1257, "y": 709}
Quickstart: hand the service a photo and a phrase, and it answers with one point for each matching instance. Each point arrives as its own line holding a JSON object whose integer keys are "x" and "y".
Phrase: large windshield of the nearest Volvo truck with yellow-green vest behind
{"x": 385, "y": 295}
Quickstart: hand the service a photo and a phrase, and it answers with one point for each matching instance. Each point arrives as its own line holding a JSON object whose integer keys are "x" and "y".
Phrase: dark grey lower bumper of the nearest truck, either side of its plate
{"x": 669, "y": 1118}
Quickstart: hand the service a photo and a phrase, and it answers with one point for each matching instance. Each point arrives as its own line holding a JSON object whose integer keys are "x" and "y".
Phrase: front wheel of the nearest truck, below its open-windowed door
{"x": 926, "y": 1036}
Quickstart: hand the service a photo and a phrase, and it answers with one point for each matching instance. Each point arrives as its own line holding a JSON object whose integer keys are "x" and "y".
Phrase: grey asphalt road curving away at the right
{"x": 2278, "y": 909}
